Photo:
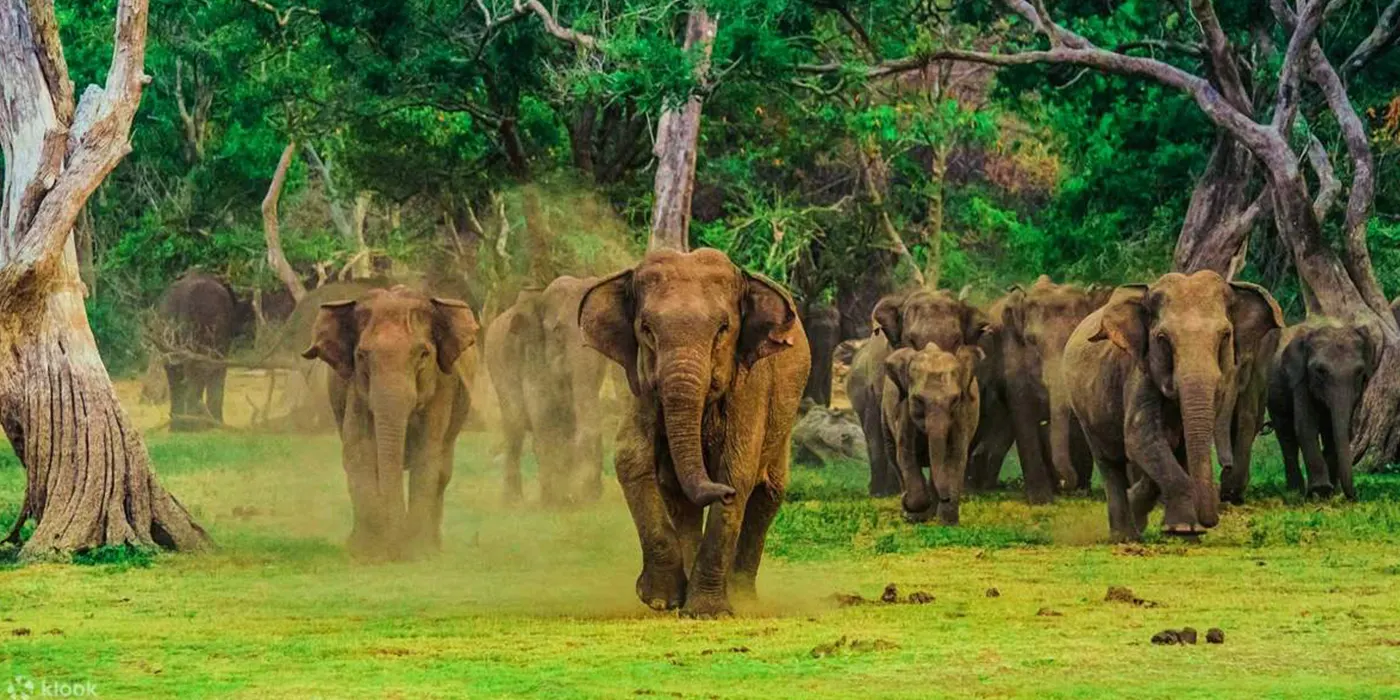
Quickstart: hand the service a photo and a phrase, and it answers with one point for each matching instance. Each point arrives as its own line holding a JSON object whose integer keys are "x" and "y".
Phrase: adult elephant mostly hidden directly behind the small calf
{"x": 909, "y": 320}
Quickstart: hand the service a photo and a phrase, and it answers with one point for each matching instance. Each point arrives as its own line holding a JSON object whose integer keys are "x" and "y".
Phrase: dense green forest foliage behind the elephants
{"x": 513, "y": 142}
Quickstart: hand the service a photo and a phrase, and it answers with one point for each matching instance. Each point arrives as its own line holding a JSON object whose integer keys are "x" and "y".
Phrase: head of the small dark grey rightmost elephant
{"x": 1332, "y": 363}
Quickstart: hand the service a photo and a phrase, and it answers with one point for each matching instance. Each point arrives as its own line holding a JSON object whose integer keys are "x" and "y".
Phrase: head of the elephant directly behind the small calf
{"x": 923, "y": 317}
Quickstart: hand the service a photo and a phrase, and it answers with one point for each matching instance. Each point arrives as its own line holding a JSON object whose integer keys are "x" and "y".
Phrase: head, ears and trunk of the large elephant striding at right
{"x": 1182, "y": 331}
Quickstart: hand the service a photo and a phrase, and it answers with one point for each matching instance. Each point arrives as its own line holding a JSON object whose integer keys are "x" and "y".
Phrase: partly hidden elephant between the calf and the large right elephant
{"x": 1035, "y": 327}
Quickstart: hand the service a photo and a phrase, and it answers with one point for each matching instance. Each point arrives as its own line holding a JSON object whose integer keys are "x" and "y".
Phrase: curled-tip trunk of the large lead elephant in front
{"x": 684, "y": 386}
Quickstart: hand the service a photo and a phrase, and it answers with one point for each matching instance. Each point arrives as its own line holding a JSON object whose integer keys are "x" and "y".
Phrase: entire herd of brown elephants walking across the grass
{"x": 1144, "y": 381}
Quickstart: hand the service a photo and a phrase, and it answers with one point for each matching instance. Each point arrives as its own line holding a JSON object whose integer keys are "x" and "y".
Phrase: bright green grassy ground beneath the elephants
{"x": 530, "y": 603}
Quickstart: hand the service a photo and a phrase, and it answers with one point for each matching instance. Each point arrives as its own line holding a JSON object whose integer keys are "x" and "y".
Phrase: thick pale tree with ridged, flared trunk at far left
{"x": 89, "y": 478}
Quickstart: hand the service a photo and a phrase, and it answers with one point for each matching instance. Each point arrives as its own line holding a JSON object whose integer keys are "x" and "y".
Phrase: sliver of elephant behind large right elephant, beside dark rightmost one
{"x": 1256, "y": 346}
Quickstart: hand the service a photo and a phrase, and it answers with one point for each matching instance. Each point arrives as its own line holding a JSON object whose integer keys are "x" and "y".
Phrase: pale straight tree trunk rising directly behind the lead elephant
{"x": 678, "y": 139}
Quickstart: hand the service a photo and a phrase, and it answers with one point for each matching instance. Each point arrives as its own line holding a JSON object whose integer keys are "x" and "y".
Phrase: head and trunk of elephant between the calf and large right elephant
{"x": 1041, "y": 320}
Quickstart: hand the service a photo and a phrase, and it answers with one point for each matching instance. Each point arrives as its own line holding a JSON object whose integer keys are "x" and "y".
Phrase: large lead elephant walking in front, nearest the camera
{"x": 716, "y": 360}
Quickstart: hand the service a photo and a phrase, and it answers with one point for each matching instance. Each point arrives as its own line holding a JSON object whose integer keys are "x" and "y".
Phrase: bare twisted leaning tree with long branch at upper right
{"x": 1339, "y": 281}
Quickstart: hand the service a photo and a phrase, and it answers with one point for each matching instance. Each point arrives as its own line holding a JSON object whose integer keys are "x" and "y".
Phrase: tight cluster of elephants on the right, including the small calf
{"x": 1143, "y": 380}
